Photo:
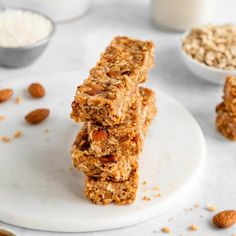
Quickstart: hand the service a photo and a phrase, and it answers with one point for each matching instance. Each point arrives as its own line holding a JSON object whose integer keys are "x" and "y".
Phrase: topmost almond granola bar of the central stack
{"x": 106, "y": 94}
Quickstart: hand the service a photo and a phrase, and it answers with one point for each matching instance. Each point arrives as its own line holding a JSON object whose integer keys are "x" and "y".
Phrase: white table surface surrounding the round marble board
{"x": 76, "y": 46}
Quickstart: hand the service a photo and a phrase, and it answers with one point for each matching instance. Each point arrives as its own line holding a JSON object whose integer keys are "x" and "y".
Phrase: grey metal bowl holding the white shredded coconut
{"x": 16, "y": 57}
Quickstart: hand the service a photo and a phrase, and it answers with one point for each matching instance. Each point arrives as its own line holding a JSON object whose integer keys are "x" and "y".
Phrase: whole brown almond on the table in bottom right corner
{"x": 225, "y": 219}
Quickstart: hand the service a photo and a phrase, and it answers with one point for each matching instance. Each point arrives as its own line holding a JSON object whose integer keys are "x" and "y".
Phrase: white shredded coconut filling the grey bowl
{"x": 19, "y": 28}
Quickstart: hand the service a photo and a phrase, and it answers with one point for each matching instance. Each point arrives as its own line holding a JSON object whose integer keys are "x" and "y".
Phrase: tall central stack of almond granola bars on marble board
{"x": 116, "y": 113}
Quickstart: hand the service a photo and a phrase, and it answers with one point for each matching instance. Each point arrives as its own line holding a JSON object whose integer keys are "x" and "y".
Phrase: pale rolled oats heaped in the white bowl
{"x": 212, "y": 45}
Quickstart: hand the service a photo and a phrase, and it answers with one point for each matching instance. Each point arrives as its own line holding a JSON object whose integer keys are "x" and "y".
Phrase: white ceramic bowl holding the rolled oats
{"x": 203, "y": 71}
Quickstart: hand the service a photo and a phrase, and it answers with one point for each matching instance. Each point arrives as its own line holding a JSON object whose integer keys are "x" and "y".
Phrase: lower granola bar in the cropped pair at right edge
{"x": 226, "y": 121}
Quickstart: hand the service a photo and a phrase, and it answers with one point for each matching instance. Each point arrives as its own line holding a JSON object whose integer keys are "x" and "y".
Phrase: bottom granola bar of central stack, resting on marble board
{"x": 105, "y": 192}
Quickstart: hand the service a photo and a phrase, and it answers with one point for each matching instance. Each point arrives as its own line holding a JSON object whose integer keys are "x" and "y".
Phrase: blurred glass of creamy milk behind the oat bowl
{"x": 181, "y": 14}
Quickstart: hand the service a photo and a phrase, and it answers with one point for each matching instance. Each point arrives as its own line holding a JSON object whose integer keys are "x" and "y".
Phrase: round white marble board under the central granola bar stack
{"x": 39, "y": 190}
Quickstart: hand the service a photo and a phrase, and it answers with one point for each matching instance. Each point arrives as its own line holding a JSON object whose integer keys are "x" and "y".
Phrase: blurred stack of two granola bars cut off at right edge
{"x": 226, "y": 110}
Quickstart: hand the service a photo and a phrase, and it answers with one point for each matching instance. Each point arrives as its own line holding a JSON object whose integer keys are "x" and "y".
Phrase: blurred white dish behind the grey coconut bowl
{"x": 57, "y": 10}
